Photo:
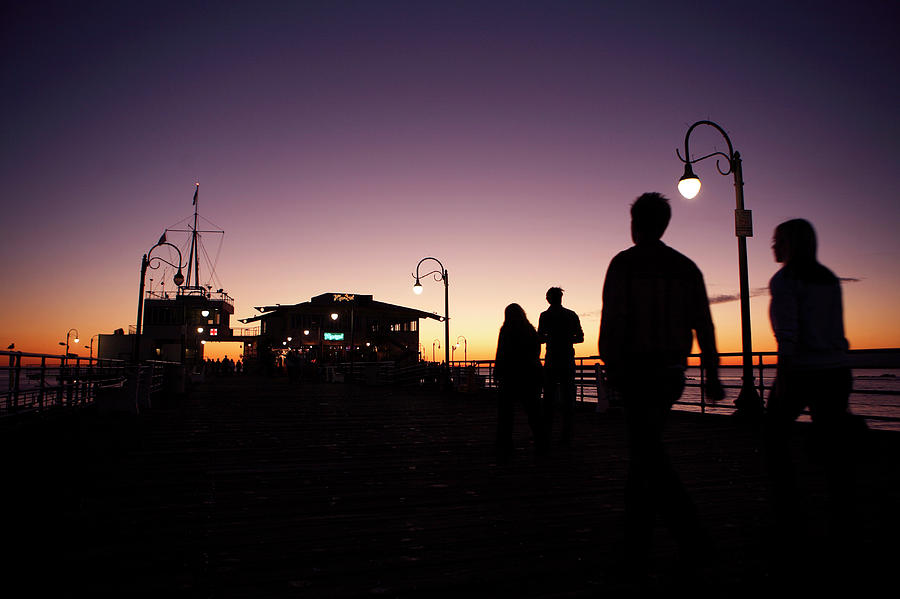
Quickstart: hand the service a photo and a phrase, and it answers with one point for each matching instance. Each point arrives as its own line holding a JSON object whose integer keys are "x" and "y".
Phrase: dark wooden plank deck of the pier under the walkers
{"x": 257, "y": 488}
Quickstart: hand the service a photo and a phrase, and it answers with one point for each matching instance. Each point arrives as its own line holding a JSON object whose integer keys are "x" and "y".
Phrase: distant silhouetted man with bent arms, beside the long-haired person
{"x": 559, "y": 328}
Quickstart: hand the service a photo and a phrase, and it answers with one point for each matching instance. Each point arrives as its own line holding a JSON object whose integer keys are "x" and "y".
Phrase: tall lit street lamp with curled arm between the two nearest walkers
{"x": 748, "y": 401}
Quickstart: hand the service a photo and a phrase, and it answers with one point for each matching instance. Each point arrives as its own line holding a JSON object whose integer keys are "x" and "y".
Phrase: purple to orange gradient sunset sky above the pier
{"x": 337, "y": 143}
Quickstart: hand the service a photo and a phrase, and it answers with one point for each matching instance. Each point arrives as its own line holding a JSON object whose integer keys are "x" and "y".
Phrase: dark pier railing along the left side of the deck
{"x": 31, "y": 382}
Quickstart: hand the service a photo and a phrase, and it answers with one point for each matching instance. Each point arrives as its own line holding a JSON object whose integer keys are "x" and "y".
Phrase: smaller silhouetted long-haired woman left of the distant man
{"x": 517, "y": 370}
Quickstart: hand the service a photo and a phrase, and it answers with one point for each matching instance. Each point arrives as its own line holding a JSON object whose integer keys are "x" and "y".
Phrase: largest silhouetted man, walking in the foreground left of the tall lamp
{"x": 654, "y": 300}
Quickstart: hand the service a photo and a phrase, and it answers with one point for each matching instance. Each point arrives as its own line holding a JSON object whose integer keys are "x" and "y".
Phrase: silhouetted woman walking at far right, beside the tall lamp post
{"x": 807, "y": 317}
